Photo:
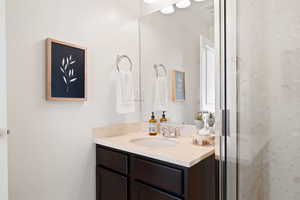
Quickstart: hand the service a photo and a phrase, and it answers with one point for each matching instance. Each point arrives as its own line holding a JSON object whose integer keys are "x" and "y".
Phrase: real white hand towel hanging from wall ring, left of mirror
{"x": 125, "y": 92}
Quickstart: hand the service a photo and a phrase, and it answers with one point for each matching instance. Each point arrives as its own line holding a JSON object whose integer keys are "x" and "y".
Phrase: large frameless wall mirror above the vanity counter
{"x": 177, "y": 42}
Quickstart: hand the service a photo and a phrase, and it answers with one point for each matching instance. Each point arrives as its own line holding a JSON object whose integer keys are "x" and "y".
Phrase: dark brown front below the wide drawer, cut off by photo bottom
{"x": 143, "y": 192}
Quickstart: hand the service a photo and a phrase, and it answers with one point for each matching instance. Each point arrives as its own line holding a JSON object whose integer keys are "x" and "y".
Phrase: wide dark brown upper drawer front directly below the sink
{"x": 161, "y": 176}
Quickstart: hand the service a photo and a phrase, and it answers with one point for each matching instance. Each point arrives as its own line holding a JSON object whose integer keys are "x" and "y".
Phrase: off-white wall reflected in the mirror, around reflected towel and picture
{"x": 174, "y": 41}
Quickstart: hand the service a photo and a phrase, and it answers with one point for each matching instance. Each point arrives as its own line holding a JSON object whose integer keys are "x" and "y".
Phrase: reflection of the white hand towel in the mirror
{"x": 161, "y": 94}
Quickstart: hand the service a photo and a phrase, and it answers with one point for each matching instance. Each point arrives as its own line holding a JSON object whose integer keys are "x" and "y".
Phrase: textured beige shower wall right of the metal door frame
{"x": 268, "y": 47}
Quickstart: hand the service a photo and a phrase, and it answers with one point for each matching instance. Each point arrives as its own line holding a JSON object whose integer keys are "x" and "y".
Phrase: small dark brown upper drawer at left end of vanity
{"x": 112, "y": 159}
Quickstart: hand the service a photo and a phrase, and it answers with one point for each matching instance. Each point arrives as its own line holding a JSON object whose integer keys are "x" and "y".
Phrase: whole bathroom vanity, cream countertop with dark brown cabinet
{"x": 129, "y": 171}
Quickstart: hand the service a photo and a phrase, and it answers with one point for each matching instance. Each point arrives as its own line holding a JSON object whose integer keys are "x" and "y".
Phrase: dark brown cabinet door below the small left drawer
{"x": 110, "y": 185}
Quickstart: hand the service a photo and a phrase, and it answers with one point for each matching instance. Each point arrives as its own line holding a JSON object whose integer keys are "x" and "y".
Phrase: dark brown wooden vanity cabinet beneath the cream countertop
{"x": 126, "y": 176}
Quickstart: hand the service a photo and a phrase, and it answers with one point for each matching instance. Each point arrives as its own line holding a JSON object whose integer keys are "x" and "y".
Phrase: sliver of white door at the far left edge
{"x": 3, "y": 123}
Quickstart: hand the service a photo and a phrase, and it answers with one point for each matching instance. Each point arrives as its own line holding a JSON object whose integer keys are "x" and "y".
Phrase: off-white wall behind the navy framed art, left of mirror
{"x": 51, "y": 151}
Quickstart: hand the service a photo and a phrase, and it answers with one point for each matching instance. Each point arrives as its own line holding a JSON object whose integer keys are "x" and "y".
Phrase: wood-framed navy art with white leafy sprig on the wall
{"x": 66, "y": 71}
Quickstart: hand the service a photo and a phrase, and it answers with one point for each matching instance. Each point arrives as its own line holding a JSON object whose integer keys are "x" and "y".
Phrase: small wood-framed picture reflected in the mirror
{"x": 178, "y": 86}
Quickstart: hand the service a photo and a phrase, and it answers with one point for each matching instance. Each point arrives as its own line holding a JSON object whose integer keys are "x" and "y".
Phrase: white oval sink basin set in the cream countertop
{"x": 154, "y": 142}
